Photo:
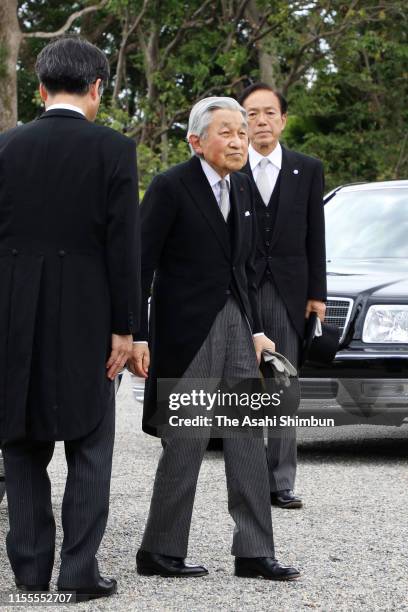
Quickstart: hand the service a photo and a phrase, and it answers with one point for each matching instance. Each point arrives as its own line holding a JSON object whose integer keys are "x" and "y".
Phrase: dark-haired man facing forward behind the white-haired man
{"x": 290, "y": 253}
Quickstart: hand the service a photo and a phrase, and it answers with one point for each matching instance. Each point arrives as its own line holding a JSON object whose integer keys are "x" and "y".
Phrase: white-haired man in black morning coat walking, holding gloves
{"x": 198, "y": 232}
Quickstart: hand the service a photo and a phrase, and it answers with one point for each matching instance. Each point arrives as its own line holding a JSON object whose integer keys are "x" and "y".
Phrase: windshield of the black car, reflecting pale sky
{"x": 367, "y": 224}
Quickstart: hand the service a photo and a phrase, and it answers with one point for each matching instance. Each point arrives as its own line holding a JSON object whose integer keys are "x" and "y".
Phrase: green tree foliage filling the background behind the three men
{"x": 343, "y": 70}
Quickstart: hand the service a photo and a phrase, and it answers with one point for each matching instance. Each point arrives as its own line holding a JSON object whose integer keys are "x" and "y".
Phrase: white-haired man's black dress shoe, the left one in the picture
{"x": 152, "y": 564}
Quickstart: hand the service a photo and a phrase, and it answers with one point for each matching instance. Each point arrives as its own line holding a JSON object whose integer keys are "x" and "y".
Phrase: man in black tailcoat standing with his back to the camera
{"x": 69, "y": 302}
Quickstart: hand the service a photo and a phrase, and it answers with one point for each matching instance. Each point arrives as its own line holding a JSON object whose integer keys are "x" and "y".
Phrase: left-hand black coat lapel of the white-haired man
{"x": 203, "y": 196}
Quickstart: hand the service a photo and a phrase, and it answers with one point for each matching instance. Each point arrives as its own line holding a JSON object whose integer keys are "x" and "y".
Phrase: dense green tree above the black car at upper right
{"x": 354, "y": 114}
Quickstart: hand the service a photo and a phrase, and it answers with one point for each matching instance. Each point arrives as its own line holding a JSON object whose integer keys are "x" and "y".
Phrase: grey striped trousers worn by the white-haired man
{"x": 228, "y": 352}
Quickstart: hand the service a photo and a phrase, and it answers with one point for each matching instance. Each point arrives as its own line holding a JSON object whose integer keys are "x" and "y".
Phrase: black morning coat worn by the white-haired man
{"x": 195, "y": 259}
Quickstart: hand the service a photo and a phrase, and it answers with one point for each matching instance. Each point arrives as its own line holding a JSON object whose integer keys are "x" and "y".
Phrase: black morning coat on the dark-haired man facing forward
{"x": 295, "y": 256}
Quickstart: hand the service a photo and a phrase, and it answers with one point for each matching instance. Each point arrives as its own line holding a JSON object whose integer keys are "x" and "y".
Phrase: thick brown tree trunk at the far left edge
{"x": 10, "y": 40}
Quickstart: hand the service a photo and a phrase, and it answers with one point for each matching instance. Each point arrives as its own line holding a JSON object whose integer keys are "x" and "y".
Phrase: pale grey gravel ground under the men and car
{"x": 349, "y": 541}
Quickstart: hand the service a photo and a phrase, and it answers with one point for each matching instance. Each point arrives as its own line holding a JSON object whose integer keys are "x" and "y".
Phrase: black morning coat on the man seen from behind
{"x": 69, "y": 271}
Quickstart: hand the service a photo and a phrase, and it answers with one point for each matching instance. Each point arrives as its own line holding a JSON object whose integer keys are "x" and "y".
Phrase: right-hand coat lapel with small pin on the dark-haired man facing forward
{"x": 289, "y": 180}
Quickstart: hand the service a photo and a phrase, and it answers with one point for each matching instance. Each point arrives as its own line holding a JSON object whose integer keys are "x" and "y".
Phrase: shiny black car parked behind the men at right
{"x": 367, "y": 265}
